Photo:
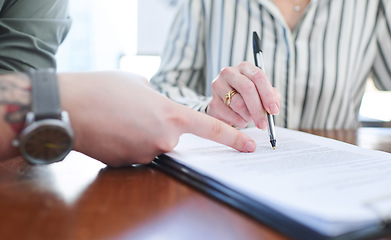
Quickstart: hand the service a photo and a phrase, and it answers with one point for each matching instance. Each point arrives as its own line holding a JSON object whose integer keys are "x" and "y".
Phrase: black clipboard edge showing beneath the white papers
{"x": 257, "y": 210}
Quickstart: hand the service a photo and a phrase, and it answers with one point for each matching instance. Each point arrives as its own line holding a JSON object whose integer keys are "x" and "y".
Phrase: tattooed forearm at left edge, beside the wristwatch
{"x": 14, "y": 104}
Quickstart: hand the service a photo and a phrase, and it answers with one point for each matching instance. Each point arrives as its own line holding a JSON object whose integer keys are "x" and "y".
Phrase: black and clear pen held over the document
{"x": 258, "y": 58}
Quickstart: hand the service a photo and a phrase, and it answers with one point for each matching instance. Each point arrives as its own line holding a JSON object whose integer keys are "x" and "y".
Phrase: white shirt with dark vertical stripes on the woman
{"x": 320, "y": 67}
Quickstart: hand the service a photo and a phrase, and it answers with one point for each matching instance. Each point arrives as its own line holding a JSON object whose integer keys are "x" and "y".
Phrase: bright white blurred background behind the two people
{"x": 130, "y": 35}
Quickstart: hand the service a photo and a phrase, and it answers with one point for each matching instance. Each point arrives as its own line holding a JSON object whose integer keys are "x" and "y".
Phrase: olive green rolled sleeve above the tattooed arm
{"x": 31, "y": 32}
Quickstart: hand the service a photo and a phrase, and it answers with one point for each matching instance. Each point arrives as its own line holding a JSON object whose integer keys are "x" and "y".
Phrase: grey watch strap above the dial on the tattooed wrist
{"x": 45, "y": 94}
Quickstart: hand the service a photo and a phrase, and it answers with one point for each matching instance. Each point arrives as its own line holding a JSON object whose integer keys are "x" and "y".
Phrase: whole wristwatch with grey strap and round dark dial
{"x": 48, "y": 135}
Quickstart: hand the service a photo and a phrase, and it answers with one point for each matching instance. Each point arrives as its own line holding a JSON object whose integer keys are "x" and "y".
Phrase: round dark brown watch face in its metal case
{"x": 47, "y": 143}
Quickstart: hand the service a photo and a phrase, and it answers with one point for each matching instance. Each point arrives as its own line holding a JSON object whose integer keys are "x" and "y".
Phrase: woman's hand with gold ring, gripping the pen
{"x": 255, "y": 96}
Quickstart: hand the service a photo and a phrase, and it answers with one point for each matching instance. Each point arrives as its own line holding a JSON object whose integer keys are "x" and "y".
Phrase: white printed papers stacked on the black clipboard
{"x": 330, "y": 186}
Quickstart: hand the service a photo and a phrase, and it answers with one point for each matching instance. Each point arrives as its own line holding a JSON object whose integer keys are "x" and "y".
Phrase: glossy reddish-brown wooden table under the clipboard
{"x": 80, "y": 198}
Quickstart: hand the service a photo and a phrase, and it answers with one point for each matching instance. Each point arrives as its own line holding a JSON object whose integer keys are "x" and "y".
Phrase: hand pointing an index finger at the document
{"x": 118, "y": 119}
